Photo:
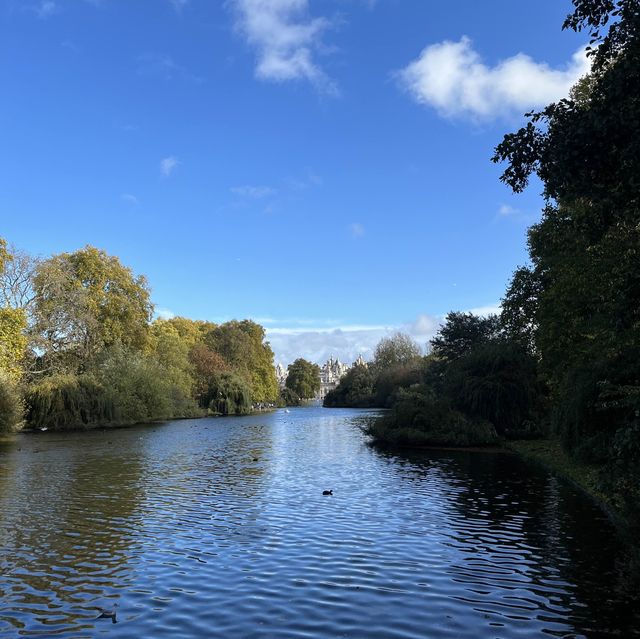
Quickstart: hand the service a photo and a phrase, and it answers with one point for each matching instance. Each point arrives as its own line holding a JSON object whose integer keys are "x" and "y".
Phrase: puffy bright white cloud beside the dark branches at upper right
{"x": 452, "y": 78}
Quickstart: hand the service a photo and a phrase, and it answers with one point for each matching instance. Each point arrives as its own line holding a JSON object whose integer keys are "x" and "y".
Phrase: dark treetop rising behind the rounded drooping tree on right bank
{"x": 462, "y": 332}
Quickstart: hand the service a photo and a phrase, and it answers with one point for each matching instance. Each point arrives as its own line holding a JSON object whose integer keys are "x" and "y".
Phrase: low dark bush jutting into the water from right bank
{"x": 420, "y": 419}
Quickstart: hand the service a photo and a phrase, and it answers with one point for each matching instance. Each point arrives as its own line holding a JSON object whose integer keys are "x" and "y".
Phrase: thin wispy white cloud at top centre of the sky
{"x": 285, "y": 37}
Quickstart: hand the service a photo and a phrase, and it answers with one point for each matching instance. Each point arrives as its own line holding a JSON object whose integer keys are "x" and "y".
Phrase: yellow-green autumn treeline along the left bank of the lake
{"x": 79, "y": 348}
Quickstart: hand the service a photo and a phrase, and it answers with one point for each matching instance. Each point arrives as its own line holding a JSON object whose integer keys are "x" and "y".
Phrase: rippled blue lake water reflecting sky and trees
{"x": 218, "y": 528}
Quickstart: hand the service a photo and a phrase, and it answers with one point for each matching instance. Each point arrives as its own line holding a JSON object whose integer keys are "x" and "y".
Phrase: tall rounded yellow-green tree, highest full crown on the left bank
{"x": 84, "y": 302}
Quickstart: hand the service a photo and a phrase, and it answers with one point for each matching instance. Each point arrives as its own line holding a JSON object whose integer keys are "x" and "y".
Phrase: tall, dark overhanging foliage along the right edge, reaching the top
{"x": 577, "y": 306}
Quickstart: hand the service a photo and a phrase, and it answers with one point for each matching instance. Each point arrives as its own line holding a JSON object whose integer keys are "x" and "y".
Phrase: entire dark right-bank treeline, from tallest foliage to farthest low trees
{"x": 565, "y": 351}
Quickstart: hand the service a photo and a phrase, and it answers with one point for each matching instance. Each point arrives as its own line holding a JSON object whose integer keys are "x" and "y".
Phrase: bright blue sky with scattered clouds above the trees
{"x": 321, "y": 166}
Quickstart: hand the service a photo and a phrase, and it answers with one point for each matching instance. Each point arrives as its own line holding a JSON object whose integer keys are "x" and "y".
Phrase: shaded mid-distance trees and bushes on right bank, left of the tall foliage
{"x": 475, "y": 386}
